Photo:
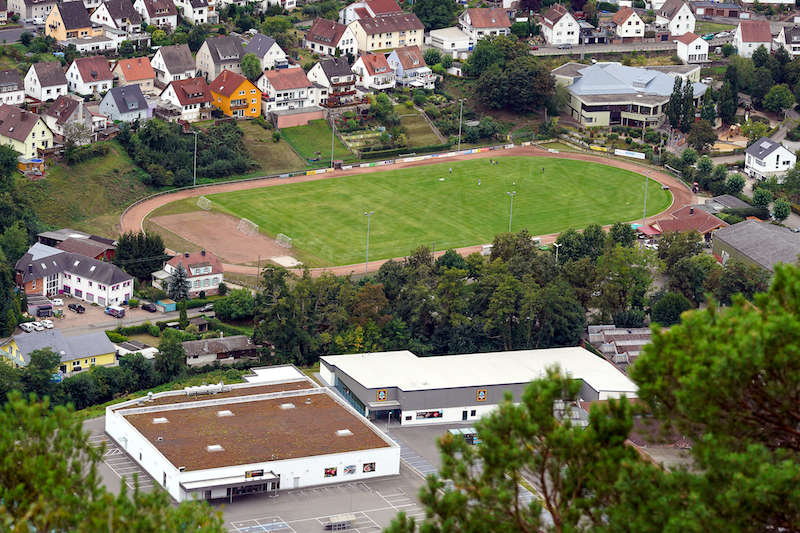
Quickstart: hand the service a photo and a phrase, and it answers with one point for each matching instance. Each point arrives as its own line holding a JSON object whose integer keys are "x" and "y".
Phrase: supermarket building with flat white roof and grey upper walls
{"x": 452, "y": 388}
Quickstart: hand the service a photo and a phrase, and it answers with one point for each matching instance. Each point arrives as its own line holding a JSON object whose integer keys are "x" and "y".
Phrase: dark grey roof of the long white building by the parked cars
{"x": 46, "y": 261}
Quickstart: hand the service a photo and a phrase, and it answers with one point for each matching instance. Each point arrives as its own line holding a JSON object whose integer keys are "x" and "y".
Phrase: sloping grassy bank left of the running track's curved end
{"x": 88, "y": 196}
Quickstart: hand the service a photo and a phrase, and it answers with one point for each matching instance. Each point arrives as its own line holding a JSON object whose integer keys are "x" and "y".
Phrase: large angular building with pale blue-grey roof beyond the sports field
{"x": 607, "y": 94}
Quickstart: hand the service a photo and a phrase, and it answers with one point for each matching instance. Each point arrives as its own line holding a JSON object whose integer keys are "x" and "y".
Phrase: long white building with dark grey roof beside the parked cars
{"x": 48, "y": 271}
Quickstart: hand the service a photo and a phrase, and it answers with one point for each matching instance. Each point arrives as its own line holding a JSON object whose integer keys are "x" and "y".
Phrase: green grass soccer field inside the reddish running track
{"x": 429, "y": 205}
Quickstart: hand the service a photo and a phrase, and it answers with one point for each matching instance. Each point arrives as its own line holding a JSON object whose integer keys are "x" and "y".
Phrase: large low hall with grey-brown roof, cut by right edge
{"x": 761, "y": 244}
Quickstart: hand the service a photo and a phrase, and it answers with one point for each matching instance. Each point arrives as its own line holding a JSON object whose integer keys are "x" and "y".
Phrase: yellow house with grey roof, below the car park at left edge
{"x": 77, "y": 353}
